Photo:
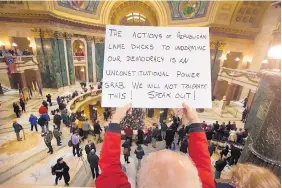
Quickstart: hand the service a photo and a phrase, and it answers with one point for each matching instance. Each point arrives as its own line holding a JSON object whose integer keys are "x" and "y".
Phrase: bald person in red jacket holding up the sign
{"x": 195, "y": 172}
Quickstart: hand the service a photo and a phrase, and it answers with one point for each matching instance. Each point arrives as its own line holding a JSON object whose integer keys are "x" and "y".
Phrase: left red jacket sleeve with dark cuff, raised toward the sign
{"x": 112, "y": 175}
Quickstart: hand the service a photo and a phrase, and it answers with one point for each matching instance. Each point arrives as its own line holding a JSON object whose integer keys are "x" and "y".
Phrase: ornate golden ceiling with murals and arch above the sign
{"x": 236, "y": 18}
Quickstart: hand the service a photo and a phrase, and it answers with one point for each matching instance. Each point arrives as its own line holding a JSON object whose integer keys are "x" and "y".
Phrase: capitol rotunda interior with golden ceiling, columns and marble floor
{"x": 57, "y": 48}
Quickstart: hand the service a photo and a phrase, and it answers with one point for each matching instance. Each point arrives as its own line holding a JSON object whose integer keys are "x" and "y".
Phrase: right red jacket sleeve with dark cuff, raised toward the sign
{"x": 198, "y": 151}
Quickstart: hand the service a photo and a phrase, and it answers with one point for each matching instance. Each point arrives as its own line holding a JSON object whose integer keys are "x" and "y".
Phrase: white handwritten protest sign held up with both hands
{"x": 157, "y": 67}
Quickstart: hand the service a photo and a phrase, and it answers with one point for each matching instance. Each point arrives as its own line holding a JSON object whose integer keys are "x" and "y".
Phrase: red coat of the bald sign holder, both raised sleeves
{"x": 113, "y": 177}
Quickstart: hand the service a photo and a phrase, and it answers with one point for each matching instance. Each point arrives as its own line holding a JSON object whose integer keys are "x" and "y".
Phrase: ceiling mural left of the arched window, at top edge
{"x": 82, "y": 6}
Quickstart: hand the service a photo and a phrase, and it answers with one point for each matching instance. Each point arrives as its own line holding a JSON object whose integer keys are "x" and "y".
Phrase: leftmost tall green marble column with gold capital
{"x": 43, "y": 68}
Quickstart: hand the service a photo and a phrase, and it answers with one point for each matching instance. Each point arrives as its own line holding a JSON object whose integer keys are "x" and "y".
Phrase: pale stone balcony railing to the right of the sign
{"x": 240, "y": 77}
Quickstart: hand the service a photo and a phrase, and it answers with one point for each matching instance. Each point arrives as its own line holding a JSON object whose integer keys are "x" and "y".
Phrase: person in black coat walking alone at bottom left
{"x": 62, "y": 169}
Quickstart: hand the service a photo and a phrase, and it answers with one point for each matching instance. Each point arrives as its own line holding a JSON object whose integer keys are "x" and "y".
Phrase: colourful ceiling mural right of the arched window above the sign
{"x": 181, "y": 10}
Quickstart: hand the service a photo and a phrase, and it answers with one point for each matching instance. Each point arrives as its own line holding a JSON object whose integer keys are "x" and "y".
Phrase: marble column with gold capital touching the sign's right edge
{"x": 216, "y": 52}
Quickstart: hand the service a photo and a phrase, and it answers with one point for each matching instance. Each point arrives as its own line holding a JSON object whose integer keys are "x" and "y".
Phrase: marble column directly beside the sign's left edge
{"x": 99, "y": 57}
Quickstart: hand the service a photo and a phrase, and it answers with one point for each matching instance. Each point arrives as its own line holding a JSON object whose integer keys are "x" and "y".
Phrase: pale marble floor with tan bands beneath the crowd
{"x": 27, "y": 164}
